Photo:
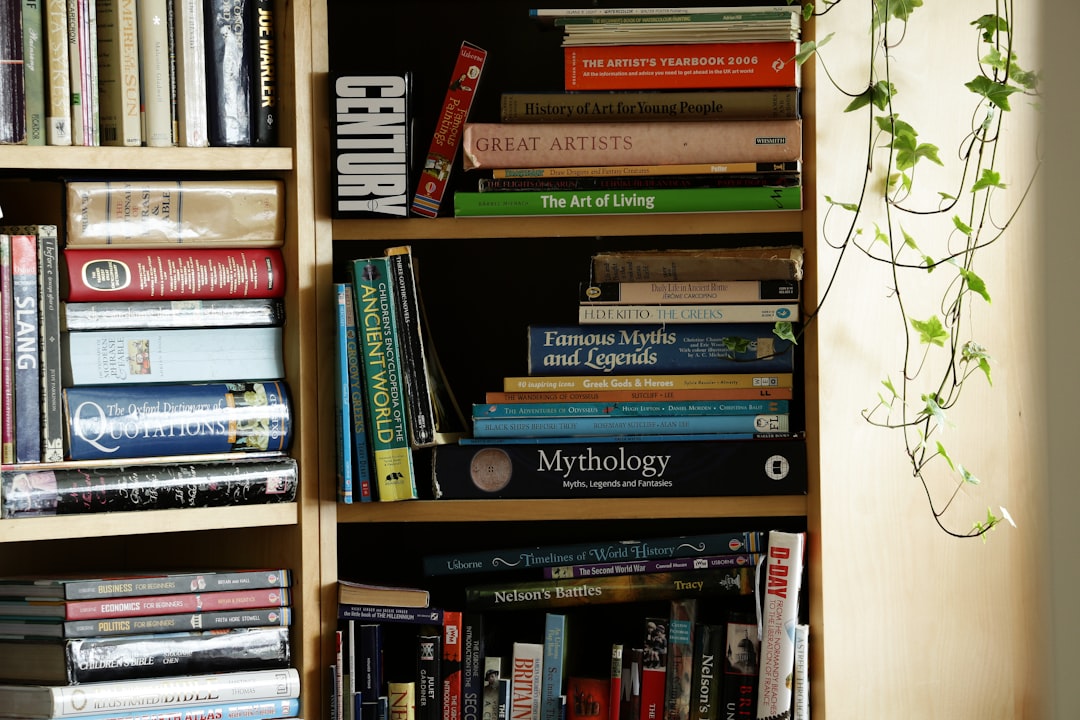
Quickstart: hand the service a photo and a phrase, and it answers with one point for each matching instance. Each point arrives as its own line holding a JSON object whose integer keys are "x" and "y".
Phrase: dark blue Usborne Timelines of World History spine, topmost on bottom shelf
{"x": 655, "y": 549}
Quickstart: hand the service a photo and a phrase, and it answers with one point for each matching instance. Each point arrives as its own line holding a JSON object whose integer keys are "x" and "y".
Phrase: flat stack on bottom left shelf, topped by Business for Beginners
{"x": 173, "y": 643}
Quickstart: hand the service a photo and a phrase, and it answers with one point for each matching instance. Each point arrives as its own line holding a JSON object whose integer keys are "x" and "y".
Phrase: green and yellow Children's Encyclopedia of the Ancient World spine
{"x": 395, "y": 477}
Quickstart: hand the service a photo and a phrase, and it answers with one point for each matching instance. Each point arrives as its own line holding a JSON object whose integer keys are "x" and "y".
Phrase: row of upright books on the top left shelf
{"x": 155, "y": 73}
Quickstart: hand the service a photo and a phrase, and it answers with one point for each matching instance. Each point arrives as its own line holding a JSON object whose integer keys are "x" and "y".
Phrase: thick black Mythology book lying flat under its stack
{"x": 625, "y": 469}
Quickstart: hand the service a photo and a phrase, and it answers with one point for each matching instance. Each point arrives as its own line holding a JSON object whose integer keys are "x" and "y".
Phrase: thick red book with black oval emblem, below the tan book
{"x": 180, "y": 274}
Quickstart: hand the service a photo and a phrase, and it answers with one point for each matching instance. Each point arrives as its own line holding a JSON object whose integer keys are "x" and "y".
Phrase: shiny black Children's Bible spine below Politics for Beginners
{"x": 102, "y": 660}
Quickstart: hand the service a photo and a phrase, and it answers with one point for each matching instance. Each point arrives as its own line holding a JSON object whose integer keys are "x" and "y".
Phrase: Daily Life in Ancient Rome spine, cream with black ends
{"x": 690, "y": 293}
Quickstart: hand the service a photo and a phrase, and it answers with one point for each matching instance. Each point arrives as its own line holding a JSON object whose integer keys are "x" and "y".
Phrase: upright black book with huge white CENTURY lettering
{"x": 372, "y": 145}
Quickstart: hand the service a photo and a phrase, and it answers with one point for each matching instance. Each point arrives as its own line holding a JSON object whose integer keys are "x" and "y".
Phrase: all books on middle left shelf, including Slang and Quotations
{"x": 147, "y": 352}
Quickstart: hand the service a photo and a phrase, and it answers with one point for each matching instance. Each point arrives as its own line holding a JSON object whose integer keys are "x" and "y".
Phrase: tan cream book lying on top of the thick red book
{"x": 196, "y": 213}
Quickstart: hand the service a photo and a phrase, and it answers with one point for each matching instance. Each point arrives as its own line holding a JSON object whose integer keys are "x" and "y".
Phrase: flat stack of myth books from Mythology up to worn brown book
{"x": 672, "y": 350}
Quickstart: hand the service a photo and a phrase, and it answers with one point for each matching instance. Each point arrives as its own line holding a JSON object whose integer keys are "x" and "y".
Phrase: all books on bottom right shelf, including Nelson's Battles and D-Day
{"x": 629, "y": 642}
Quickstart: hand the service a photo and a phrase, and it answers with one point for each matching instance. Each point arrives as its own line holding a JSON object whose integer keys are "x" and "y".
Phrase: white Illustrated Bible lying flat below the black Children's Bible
{"x": 63, "y": 701}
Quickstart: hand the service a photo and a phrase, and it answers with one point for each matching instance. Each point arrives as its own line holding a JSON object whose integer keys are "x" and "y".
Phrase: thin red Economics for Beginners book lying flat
{"x": 157, "y": 605}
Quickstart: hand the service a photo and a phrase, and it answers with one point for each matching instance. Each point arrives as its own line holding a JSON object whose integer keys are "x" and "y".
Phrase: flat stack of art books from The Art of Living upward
{"x": 663, "y": 111}
